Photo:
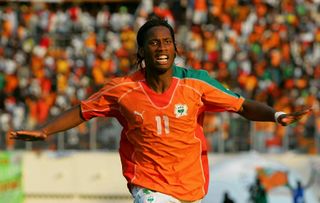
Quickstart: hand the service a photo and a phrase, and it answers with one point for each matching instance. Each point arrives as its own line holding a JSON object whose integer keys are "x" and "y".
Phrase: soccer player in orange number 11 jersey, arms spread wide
{"x": 161, "y": 108}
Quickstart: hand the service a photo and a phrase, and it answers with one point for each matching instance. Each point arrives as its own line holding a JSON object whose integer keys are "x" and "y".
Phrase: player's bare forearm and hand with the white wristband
{"x": 257, "y": 111}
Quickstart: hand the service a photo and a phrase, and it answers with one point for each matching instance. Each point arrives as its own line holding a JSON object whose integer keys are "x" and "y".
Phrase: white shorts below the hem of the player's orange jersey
{"x": 143, "y": 195}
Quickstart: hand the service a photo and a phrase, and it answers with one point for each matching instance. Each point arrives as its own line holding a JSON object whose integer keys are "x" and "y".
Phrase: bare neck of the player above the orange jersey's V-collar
{"x": 159, "y": 82}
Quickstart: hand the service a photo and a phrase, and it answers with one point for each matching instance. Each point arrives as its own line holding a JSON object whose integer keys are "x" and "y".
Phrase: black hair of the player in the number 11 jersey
{"x": 153, "y": 21}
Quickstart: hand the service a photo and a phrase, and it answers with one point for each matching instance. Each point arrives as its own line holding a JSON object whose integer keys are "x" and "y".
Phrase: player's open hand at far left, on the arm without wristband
{"x": 27, "y": 135}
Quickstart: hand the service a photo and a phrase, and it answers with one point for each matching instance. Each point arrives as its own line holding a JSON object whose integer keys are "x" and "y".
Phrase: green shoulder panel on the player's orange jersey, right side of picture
{"x": 184, "y": 73}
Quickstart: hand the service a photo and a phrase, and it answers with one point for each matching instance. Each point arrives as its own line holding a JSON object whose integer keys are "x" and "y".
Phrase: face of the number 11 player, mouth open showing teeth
{"x": 159, "y": 49}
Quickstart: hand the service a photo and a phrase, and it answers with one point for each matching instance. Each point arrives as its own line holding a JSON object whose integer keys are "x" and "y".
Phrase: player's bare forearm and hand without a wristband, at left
{"x": 65, "y": 121}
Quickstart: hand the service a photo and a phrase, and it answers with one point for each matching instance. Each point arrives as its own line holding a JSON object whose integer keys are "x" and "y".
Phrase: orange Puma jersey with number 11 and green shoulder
{"x": 162, "y": 145}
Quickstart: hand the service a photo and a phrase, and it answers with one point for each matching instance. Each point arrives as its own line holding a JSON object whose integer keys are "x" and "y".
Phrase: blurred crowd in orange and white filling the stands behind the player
{"x": 52, "y": 55}
